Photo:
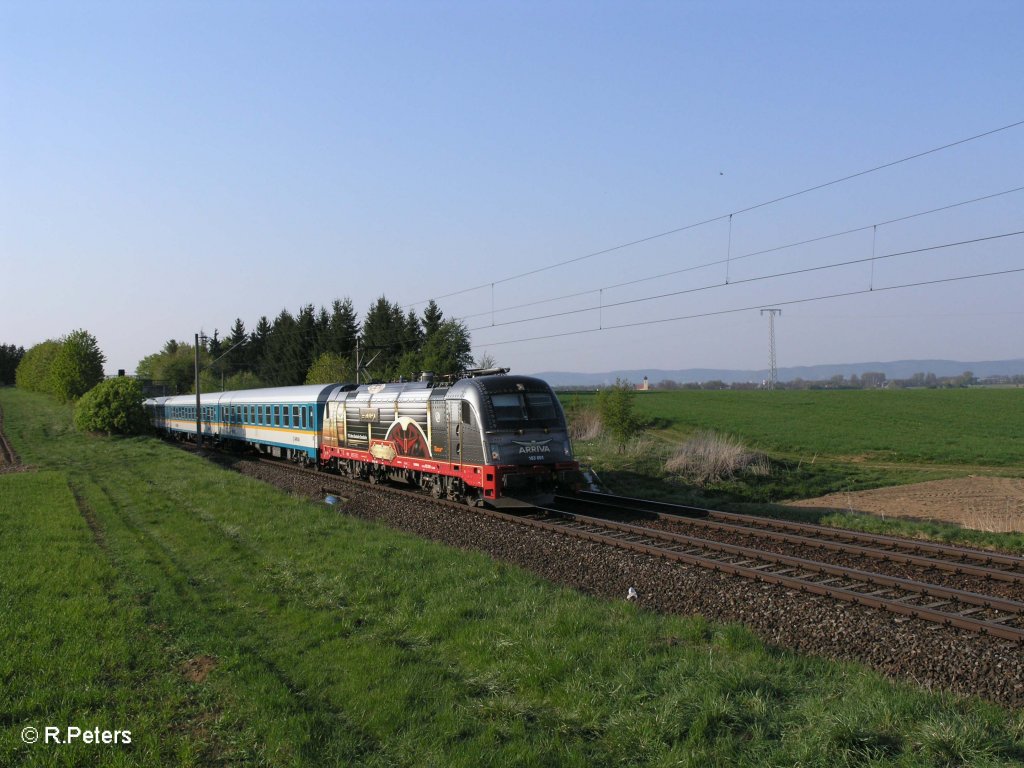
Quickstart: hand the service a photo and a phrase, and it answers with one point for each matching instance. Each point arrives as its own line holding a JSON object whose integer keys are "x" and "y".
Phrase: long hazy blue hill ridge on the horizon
{"x": 895, "y": 370}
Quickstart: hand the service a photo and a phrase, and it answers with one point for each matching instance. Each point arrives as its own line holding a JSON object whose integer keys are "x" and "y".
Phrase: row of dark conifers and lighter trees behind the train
{"x": 317, "y": 347}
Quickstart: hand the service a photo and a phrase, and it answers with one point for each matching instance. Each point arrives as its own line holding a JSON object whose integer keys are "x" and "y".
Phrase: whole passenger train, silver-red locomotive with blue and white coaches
{"x": 486, "y": 439}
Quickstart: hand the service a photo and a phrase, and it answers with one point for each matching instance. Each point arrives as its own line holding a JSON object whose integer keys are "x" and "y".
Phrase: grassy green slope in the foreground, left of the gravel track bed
{"x": 225, "y": 623}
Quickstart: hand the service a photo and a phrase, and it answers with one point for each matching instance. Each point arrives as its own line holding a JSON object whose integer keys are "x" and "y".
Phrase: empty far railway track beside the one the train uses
{"x": 955, "y": 560}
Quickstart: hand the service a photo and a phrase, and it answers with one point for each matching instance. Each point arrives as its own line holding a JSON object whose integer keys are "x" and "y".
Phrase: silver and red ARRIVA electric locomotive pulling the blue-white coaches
{"x": 487, "y": 438}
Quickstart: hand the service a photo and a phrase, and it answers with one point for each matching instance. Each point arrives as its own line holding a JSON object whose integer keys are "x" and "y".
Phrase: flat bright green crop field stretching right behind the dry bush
{"x": 957, "y": 429}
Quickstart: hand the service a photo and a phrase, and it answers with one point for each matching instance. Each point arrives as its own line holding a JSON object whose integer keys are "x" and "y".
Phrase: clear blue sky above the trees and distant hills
{"x": 168, "y": 167}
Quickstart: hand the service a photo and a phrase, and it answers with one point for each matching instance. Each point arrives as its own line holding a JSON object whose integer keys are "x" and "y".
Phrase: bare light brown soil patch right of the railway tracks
{"x": 994, "y": 504}
